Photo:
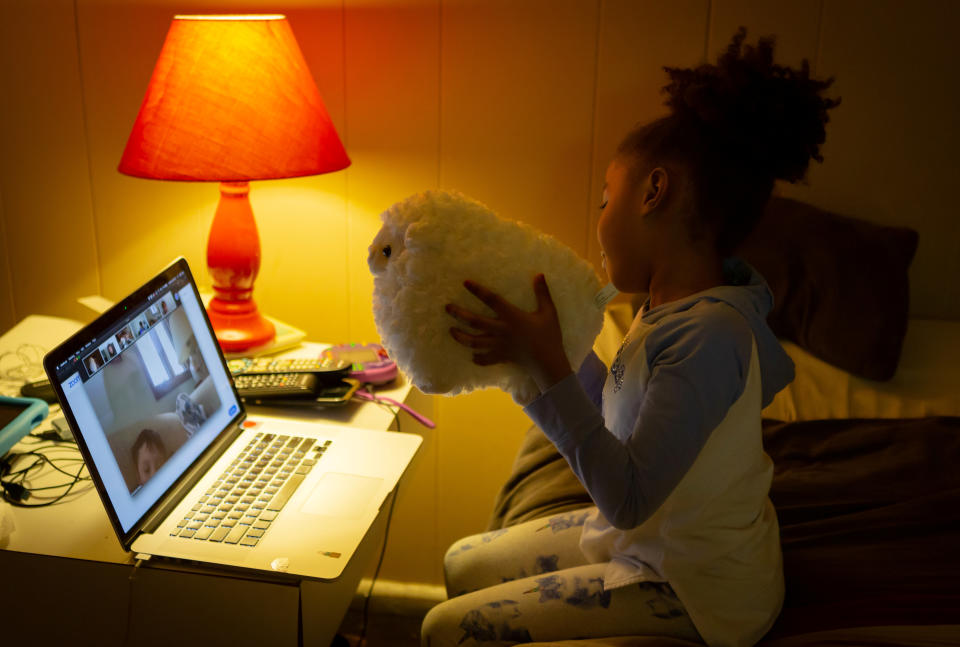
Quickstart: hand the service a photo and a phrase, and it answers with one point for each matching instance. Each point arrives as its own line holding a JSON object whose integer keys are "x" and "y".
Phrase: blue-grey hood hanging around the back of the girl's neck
{"x": 746, "y": 291}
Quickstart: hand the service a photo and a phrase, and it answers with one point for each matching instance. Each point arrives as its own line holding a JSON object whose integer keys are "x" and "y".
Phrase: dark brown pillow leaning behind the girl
{"x": 840, "y": 284}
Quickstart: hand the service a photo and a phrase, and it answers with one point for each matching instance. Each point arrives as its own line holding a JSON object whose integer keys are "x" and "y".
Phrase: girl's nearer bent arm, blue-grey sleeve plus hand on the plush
{"x": 697, "y": 371}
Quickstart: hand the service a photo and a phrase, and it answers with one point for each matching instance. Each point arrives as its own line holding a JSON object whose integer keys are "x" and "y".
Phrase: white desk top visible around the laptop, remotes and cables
{"x": 78, "y": 526}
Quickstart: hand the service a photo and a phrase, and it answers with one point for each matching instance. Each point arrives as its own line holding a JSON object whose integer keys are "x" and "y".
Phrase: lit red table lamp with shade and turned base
{"x": 231, "y": 100}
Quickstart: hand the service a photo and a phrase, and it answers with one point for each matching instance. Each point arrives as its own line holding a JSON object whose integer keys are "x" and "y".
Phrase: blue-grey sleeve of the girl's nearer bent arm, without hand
{"x": 697, "y": 371}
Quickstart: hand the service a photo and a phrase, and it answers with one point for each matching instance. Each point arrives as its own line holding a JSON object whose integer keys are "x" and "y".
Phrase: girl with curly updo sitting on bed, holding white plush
{"x": 683, "y": 540}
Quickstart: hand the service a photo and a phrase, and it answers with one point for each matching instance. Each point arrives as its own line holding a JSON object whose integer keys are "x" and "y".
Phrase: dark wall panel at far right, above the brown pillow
{"x": 891, "y": 150}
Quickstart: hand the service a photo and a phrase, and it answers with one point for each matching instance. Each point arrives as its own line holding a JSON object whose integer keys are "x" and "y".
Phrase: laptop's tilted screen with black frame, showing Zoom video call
{"x": 147, "y": 389}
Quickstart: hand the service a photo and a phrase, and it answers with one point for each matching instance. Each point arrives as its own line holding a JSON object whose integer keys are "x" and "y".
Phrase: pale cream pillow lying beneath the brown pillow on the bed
{"x": 927, "y": 382}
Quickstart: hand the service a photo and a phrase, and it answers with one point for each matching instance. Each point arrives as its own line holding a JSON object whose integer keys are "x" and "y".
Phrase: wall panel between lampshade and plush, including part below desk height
{"x": 391, "y": 134}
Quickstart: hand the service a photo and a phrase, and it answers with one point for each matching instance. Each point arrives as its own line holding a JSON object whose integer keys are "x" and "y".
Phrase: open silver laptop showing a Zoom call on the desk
{"x": 181, "y": 470}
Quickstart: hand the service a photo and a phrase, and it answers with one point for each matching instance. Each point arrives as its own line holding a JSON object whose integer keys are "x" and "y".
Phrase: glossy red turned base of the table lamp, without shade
{"x": 233, "y": 258}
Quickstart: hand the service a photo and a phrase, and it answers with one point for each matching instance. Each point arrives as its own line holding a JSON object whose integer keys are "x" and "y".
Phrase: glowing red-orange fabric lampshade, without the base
{"x": 231, "y": 99}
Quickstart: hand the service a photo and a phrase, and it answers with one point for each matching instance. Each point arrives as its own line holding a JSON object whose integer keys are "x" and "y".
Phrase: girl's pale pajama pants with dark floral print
{"x": 531, "y": 582}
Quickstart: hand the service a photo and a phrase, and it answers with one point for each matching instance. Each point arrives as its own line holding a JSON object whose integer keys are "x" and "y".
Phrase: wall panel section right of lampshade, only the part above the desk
{"x": 392, "y": 133}
